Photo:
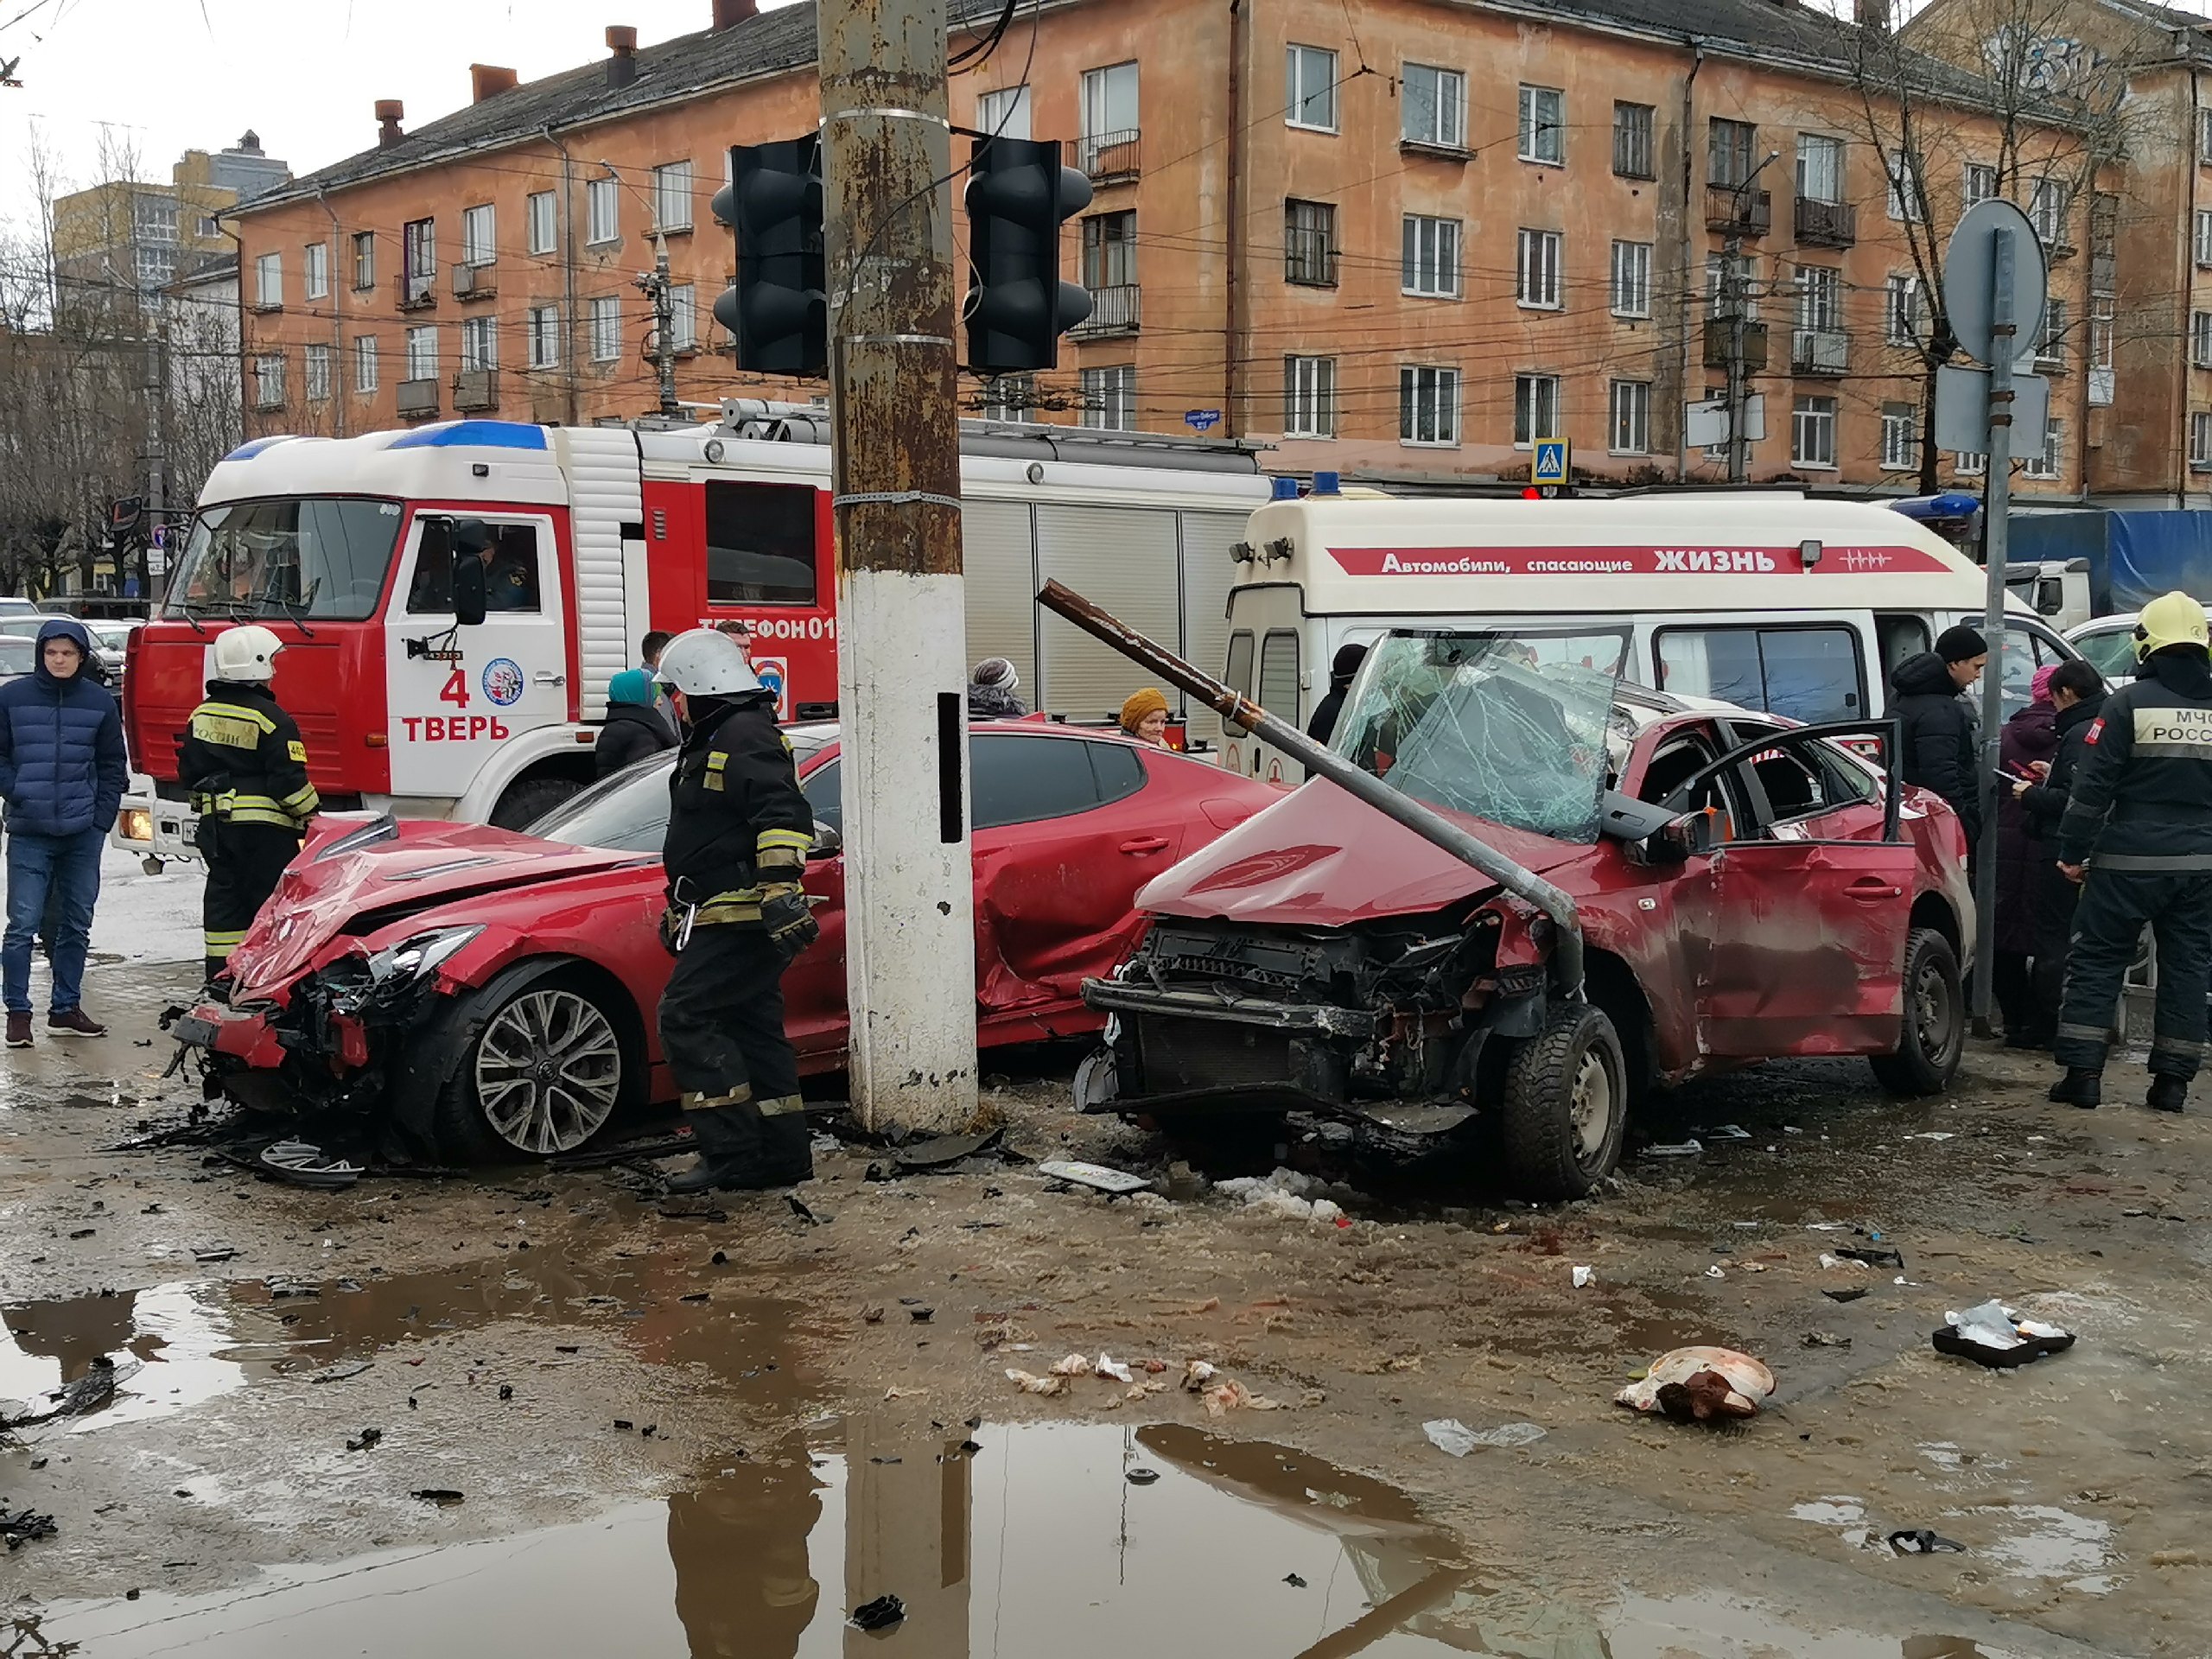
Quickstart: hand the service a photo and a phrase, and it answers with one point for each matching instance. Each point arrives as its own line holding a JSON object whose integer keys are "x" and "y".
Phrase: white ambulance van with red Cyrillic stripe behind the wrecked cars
{"x": 1766, "y": 601}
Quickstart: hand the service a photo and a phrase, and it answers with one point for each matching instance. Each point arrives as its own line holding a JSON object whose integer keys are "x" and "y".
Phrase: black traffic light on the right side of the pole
{"x": 1016, "y": 311}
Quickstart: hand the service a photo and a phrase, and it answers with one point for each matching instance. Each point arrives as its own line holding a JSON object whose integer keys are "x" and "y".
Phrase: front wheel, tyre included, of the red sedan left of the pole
{"x": 543, "y": 1076}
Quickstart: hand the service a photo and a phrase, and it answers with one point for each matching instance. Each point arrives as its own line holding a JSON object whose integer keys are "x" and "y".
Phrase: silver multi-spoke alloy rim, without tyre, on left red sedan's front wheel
{"x": 547, "y": 1072}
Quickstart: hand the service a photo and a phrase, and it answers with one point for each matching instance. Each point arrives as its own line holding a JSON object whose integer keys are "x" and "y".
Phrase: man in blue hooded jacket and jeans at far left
{"x": 63, "y": 780}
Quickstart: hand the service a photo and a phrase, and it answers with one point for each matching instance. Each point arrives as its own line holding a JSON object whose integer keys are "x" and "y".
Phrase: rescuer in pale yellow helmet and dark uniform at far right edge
{"x": 2140, "y": 820}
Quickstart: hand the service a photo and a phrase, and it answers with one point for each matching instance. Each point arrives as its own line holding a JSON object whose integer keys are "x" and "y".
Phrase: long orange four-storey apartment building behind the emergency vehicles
{"x": 1395, "y": 238}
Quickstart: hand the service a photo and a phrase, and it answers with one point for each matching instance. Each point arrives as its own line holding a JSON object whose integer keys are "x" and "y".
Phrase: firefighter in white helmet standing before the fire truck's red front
{"x": 247, "y": 771}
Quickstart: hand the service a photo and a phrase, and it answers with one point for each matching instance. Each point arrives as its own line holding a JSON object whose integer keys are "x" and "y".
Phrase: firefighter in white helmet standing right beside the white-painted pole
{"x": 738, "y": 917}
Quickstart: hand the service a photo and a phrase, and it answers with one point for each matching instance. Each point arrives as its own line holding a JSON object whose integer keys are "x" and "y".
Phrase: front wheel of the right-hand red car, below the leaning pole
{"x": 1565, "y": 1105}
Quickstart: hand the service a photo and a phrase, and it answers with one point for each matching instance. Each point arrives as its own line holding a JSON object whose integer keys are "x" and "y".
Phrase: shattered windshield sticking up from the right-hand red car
{"x": 1503, "y": 727}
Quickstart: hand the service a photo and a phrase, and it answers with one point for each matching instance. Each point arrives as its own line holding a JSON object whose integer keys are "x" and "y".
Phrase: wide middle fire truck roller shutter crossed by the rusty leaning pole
{"x": 1123, "y": 559}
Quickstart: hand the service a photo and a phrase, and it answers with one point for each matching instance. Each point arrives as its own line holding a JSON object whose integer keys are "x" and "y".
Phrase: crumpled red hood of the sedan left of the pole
{"x": 421, "y": 868}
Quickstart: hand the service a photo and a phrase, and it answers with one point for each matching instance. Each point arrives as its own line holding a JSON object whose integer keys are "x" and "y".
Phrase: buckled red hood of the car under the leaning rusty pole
{"x": 1324, "y": 859}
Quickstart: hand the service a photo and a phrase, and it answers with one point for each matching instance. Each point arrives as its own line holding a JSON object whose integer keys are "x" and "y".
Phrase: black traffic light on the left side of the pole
{"x": 778, "y": 309}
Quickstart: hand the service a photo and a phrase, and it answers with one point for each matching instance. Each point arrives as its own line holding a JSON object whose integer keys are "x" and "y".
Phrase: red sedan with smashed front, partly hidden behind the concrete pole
{"x": 490, "y": 992}
